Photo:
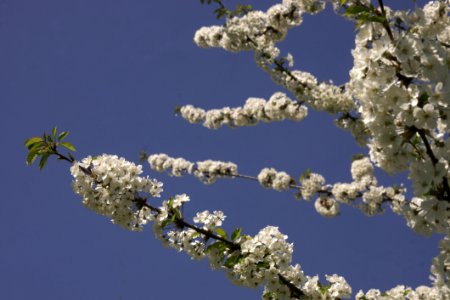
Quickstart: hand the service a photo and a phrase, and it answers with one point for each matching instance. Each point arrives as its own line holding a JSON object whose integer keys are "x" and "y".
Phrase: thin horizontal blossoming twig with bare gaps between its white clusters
{"x": 328, "y": 197}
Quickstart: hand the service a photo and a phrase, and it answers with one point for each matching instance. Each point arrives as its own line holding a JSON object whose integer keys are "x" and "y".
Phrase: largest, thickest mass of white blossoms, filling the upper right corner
{"x": 402, "y": 86}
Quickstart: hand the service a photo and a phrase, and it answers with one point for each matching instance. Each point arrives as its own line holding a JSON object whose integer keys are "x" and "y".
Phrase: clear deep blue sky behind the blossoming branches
{"x": 112, "y": 72}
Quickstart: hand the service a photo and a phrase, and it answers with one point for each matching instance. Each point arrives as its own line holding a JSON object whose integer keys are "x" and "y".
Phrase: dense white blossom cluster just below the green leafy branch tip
{"x": 111, "y": 186}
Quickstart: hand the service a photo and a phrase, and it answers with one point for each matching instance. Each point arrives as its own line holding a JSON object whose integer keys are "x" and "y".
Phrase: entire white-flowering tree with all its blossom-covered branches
{"x": 396, "y": 104}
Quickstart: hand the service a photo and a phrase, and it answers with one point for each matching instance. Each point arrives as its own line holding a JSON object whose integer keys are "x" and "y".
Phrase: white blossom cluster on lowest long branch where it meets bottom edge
{"x": 267, "y": 256}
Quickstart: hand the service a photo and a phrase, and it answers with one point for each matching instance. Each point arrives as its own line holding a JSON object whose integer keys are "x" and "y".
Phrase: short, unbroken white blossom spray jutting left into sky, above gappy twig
{"x": 277, "y": 108}
